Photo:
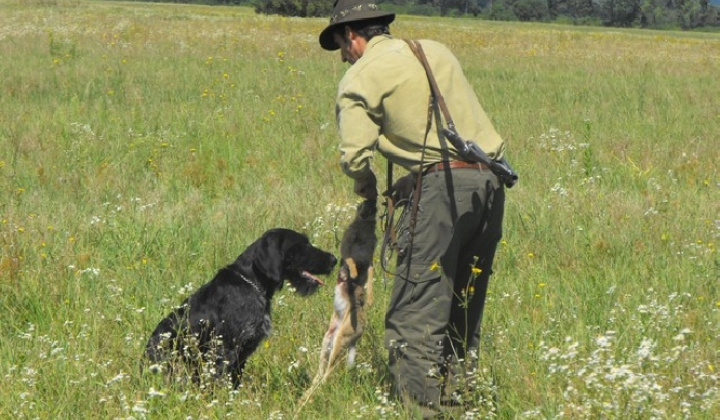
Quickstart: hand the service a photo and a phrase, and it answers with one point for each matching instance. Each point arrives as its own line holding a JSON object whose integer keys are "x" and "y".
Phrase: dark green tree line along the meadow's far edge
{"x": 655, "y": 14}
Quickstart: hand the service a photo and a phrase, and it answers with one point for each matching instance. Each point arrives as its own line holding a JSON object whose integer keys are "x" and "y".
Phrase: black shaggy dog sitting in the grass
{"x": 217, "y": 328}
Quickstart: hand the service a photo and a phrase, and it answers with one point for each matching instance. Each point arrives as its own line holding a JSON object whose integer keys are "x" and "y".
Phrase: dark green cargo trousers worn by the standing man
{"x": 432, "y": 326}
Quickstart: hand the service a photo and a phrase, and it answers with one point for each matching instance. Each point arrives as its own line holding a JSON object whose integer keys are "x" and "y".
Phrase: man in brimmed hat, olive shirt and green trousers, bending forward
{"x": 444, "y": 263}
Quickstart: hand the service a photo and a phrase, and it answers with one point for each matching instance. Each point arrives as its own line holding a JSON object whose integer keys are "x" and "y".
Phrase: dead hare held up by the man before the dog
{"x": 353, "y": 293}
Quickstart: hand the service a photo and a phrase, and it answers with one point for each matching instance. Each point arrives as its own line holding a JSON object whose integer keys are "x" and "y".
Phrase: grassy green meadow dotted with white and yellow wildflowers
{"x": 144, "y": 146}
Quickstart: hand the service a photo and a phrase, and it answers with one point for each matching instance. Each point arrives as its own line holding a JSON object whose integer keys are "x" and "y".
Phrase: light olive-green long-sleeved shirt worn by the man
{"x": 382, "y": 104}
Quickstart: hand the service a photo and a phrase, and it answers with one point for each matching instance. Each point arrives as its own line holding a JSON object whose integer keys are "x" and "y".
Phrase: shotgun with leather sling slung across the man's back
{"x": 468, "y": 150}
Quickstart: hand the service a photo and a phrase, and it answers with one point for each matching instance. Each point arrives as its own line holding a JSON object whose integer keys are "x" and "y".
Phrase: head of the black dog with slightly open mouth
{"x": 283, "y": 254}
